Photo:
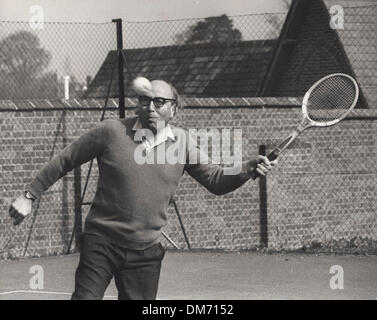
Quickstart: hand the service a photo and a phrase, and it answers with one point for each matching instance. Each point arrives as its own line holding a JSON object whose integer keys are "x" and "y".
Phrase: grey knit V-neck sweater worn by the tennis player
{"x": 130, "y": 204}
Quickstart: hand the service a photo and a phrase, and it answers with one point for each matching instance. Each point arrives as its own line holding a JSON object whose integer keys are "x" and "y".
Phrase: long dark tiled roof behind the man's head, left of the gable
{"x": 204, "y": 70}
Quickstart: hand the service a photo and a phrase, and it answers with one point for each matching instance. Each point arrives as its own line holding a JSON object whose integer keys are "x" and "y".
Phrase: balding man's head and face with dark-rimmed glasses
{"x": 150, "y": 114}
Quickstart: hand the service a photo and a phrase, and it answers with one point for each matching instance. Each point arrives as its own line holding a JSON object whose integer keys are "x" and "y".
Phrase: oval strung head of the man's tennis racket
{"x": 331, "y": 99}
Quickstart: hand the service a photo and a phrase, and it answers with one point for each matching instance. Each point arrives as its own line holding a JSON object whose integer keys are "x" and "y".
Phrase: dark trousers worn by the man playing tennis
{"x": 136, "y": 272}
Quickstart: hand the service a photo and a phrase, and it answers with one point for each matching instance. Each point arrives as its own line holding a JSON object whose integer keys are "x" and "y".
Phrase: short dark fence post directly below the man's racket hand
{"x": 263, "y": 222}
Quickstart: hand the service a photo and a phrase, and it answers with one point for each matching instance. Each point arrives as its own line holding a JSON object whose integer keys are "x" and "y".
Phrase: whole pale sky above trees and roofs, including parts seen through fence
{"x": 86, "y": 46}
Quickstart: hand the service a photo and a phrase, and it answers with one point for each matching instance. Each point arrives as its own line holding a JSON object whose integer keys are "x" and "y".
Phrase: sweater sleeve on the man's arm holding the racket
{"x": 211, "y": 176}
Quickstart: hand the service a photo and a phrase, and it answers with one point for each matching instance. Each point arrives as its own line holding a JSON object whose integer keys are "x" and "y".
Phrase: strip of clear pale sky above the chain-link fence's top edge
{"x": 133, "y": 10}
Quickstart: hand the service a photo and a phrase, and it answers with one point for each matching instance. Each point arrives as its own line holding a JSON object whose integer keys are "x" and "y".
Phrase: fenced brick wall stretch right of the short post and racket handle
{"x": 321, "y": 199}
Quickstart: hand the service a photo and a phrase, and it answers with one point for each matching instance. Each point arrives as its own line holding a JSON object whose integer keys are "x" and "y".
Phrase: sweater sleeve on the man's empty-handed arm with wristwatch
{"x": 84, "y": 149}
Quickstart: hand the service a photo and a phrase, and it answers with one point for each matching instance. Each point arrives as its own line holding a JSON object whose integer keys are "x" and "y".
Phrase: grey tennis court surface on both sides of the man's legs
{"x": 212, "y": 275}
